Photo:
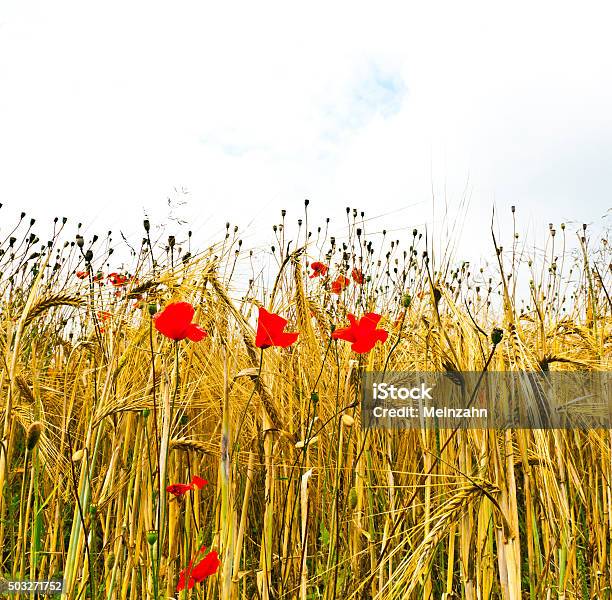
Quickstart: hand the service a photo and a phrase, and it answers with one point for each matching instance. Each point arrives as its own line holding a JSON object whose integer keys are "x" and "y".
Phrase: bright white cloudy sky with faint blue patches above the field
{"x": 233, "y": 111}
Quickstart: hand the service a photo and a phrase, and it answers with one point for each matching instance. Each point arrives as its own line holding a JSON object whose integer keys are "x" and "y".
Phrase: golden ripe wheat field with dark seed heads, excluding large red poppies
{"x": 101, "y": 413}
